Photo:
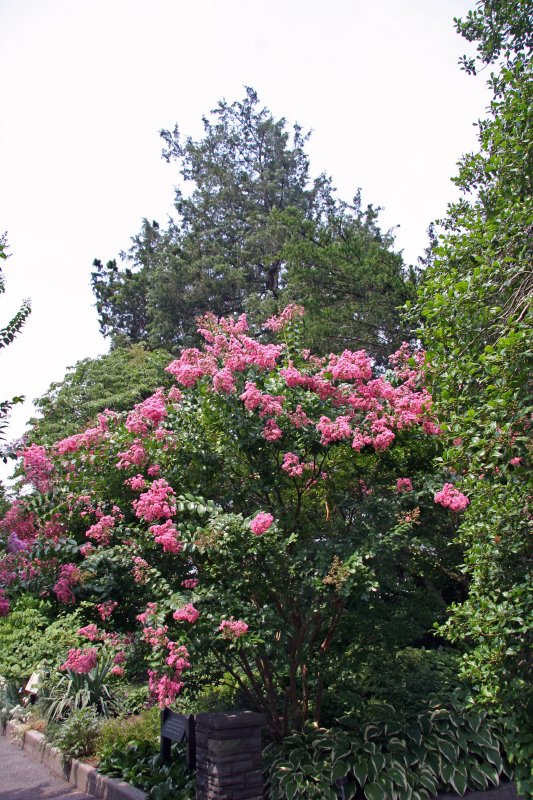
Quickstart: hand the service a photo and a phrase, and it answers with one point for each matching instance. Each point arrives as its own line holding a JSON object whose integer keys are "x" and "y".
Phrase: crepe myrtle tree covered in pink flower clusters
{"x": 260, "y": 515}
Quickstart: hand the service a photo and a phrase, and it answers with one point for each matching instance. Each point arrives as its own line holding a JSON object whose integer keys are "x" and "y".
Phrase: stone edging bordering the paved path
{"x": 82, "y": 776}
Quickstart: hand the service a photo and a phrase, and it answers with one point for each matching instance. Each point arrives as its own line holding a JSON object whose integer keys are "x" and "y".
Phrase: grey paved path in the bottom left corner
{"x": 22, "y": 778}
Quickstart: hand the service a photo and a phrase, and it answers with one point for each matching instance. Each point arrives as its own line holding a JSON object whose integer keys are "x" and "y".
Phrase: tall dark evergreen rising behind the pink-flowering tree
{"x": 254, "y": 233}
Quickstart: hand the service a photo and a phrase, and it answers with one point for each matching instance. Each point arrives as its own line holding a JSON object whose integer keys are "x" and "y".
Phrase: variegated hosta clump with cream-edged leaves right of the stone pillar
{"x": 445, "y": 748}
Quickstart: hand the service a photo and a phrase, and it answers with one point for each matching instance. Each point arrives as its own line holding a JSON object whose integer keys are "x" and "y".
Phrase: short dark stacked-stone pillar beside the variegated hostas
{"x": 228, "y": 756}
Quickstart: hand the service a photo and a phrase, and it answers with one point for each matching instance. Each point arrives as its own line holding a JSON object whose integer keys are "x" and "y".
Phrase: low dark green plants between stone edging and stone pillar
{"x": 142, "y": 766}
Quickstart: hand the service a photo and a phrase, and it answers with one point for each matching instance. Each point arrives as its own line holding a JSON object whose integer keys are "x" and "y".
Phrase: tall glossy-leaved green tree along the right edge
{"x": 476, "y": 307}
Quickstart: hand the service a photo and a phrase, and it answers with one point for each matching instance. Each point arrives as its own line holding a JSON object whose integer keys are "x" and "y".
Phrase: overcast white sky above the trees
{"x": 86, "y": 85}
